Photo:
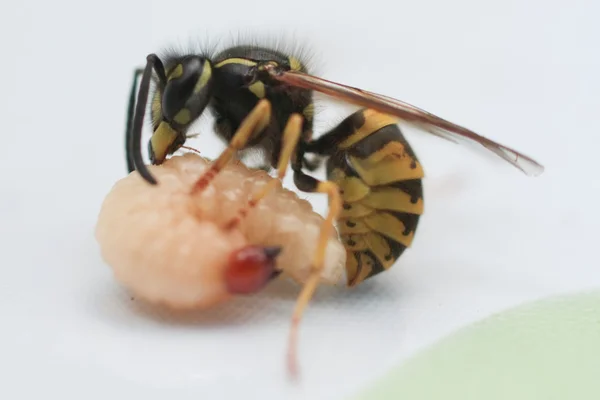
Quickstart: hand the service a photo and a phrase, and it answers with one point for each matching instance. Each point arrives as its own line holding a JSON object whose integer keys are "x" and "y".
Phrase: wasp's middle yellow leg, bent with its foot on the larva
{"x": 291, "y": 136}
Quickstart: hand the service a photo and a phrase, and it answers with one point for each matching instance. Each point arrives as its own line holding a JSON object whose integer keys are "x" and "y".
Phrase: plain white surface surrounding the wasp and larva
{"x": 523, "y": 74}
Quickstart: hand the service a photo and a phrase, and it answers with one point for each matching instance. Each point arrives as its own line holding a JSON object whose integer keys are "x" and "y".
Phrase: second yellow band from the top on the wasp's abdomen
{"x": 388, "y": 171}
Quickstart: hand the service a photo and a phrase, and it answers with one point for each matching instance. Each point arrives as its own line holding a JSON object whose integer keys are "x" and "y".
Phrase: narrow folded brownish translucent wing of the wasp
{"x": 410, "y": 114}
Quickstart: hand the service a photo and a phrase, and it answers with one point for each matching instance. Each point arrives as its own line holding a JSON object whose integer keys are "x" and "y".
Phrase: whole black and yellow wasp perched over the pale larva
{"x": 262, "y": 99}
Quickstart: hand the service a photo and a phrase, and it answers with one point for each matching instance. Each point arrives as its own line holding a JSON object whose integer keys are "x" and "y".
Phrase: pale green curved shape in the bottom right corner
{"x": 549, "y": 349}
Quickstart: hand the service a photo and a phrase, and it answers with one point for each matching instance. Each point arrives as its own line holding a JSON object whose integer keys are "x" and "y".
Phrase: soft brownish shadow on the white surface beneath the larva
{"x": 115, "y": 305}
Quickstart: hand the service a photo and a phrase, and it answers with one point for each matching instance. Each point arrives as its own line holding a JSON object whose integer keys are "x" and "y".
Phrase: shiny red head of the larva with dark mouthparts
{"x": 250, "y": 269}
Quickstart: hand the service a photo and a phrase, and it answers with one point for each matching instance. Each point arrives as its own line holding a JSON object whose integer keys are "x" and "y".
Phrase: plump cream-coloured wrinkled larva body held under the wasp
{"x": 170, "y": 247}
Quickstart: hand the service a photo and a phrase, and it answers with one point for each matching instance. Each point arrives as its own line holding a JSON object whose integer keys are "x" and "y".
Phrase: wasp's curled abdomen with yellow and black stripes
{"x": 380, "y": 179}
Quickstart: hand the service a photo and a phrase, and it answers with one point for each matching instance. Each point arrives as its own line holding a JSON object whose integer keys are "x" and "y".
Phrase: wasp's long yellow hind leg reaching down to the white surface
{"x": 310, "y": 286}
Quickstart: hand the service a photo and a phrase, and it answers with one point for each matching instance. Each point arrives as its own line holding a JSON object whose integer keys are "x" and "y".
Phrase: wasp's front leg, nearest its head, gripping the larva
{"x": 255, "y": 122}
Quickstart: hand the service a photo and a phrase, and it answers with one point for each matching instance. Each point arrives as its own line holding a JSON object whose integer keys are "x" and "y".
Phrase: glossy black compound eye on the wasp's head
{"x": 181, "y": 82}
